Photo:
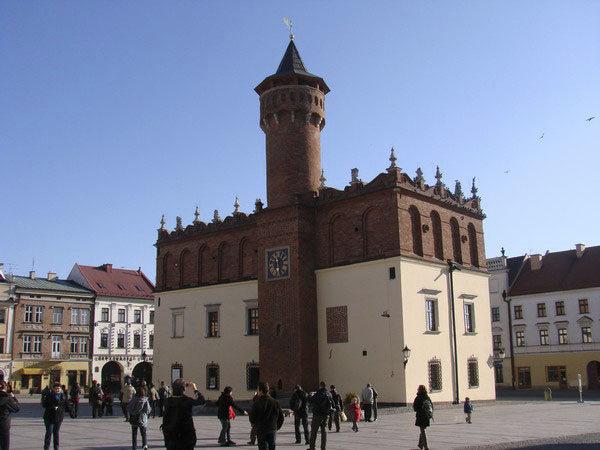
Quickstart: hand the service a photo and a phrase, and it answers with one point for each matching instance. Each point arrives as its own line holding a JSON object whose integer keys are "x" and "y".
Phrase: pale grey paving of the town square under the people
{"x": 532, "y": 425}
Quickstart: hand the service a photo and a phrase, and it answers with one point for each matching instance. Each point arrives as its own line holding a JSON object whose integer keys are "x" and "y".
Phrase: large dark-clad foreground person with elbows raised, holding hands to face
{"x": 178, "y": 424}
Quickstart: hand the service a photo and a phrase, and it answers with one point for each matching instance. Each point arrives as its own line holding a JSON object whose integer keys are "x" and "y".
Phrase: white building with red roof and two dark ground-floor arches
{"x": 123, "y": 339}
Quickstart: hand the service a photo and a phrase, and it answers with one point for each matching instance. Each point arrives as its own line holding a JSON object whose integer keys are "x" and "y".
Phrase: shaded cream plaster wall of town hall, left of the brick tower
{"x": 231, "y": 351}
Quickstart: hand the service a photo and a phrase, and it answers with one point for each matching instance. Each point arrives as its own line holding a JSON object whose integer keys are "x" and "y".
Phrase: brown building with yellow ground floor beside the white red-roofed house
{"x": 52, "y": 332}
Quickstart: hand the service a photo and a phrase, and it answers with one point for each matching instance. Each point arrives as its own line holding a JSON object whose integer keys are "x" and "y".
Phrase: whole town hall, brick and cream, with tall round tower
{"x": 382, "y": 282}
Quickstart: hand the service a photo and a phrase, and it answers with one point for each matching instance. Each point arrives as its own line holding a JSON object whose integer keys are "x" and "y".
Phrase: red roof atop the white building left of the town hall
{"x": 110, "y": 282}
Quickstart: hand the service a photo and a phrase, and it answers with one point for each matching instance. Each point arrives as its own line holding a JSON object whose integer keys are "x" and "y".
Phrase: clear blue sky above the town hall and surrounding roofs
{"x": 115, "y": 112}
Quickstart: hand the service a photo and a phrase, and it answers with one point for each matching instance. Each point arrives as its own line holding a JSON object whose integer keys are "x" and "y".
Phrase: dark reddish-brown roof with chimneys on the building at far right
{"x": 560, "y": 271}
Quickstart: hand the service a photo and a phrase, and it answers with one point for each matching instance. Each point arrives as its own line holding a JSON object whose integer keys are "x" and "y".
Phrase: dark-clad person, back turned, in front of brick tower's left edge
{"x": 267, "y": 416}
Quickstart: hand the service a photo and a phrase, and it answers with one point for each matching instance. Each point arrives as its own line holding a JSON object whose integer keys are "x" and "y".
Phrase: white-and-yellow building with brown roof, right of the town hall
{"x": 555, "y": 310}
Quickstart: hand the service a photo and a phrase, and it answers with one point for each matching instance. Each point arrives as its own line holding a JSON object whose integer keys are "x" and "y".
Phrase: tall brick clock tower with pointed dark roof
{"x": 292, "y": 115}
